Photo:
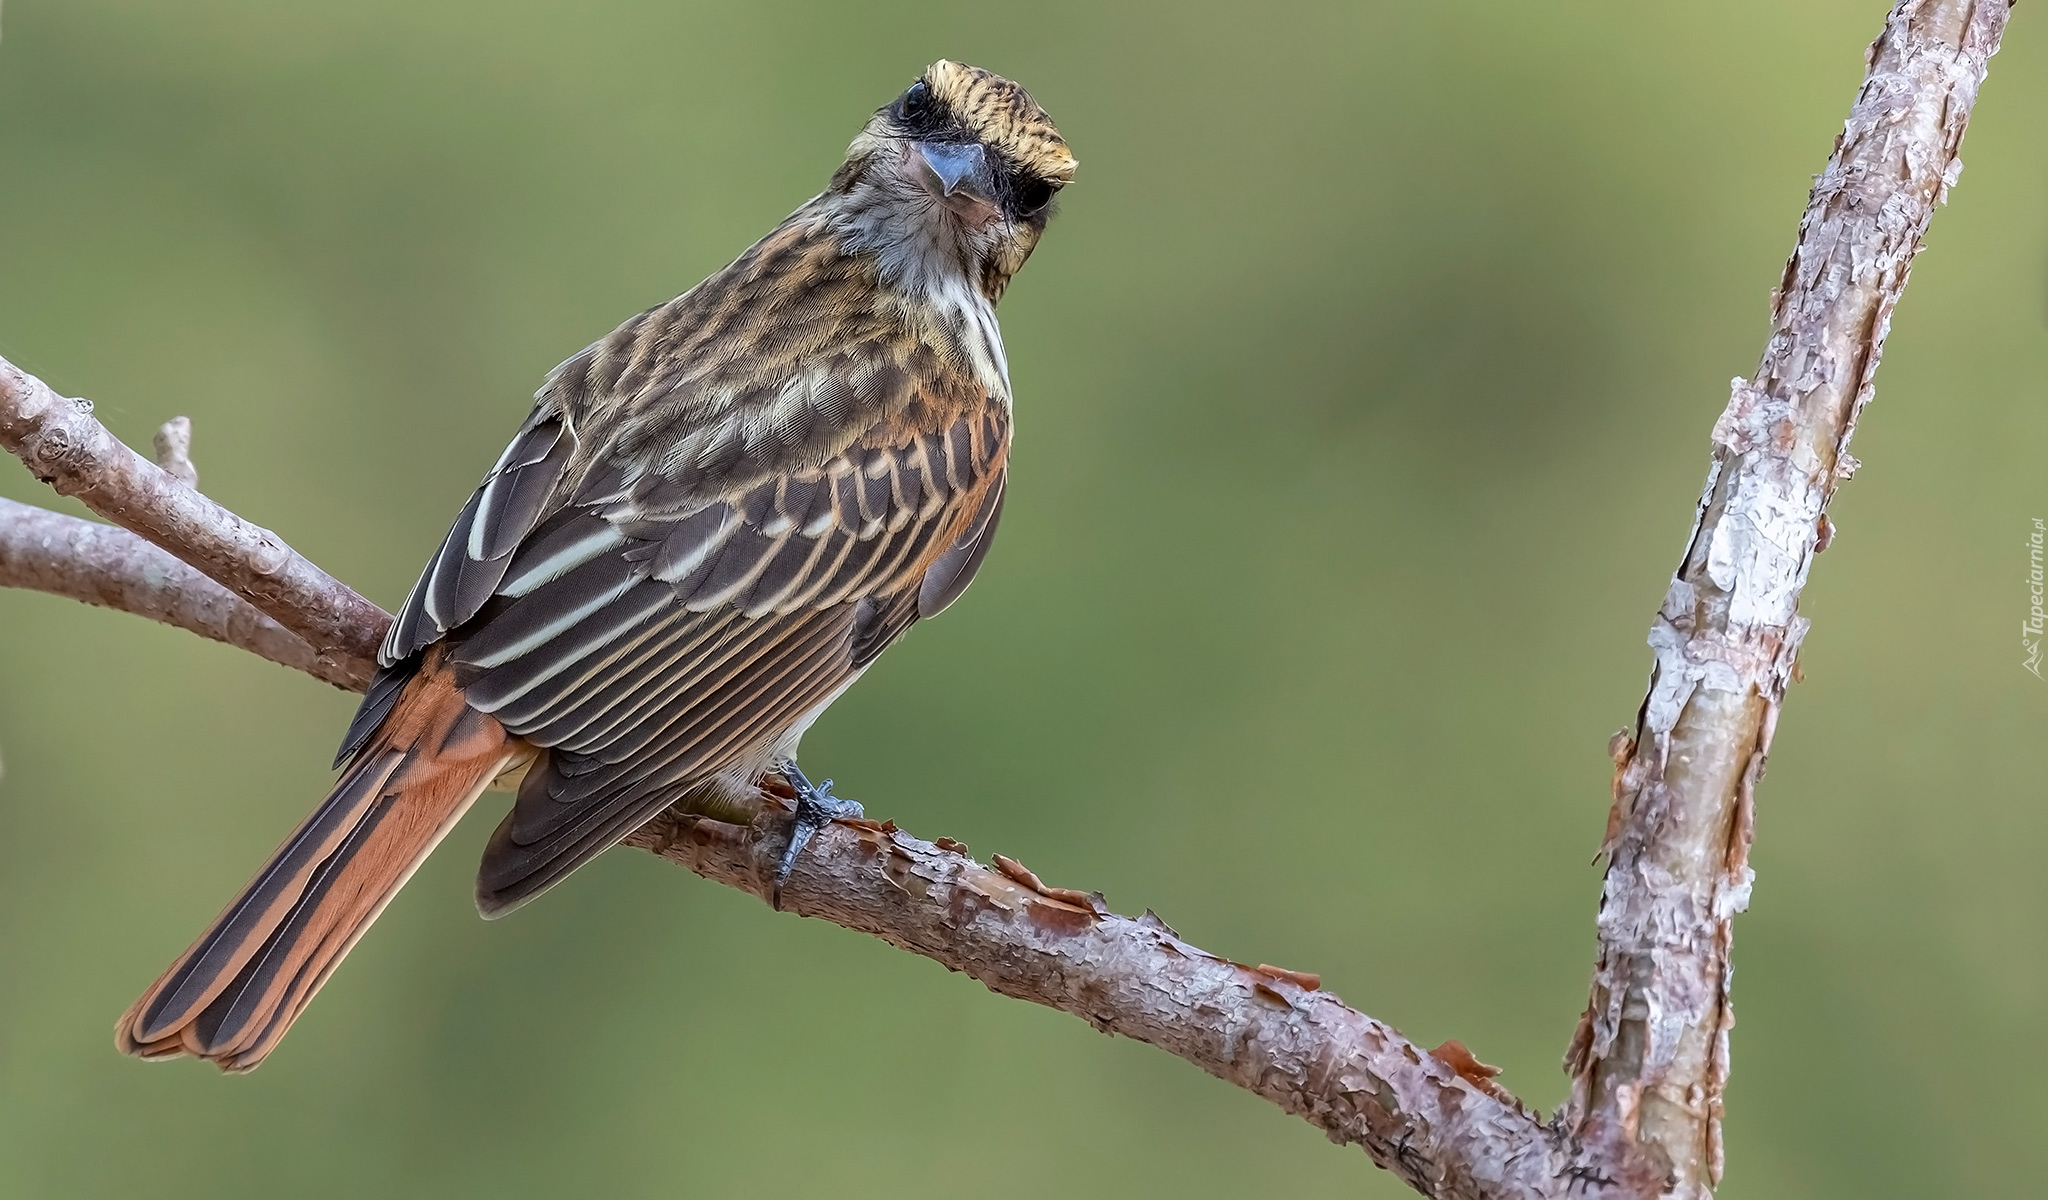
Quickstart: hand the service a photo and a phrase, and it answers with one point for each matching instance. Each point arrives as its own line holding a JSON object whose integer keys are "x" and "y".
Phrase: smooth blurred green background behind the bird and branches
{"x": 1365, "y": 388}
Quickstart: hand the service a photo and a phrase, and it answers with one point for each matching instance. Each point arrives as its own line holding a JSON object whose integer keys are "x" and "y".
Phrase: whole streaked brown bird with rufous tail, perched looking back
{"x": 708, "y": 527}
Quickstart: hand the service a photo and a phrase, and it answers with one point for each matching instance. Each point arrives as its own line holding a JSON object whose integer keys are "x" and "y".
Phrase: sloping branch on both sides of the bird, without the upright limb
{"x": 1435, "y": 1119}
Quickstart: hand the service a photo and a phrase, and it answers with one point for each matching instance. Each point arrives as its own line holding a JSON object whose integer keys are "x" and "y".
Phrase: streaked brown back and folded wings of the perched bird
{"x": 710, "y": 527}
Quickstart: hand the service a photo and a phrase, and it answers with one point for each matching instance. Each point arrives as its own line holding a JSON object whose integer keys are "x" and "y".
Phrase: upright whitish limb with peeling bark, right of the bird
{"x": 1652, "y": 1056}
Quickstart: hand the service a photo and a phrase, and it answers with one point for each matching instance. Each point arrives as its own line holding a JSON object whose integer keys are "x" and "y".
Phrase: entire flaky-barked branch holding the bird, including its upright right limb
{"x": 1652, "y": 1056}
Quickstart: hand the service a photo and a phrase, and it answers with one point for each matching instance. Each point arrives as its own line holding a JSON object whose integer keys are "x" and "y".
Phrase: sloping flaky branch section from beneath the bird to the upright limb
{"x": 1256, "y": 1027}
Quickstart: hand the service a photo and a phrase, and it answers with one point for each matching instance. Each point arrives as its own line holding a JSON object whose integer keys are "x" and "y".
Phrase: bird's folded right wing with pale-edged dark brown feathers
{"x": 654, "y": 654}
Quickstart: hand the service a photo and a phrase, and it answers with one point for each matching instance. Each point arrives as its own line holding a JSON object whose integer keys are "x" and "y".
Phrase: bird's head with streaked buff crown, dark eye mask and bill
{"x": 957, "y": 175}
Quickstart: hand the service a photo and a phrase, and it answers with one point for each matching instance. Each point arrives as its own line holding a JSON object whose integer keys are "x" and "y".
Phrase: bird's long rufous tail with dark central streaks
{"x": 234, "y": 994}
